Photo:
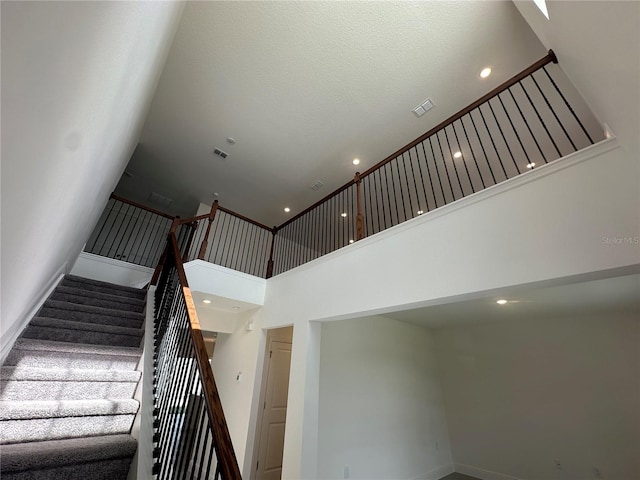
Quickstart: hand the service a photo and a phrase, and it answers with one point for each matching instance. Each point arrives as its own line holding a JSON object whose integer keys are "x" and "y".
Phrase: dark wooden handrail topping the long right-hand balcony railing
{"x": 548, "y": 58}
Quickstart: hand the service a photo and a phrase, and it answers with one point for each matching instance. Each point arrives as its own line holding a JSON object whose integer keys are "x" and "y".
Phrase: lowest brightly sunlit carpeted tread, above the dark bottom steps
{"x": 38, "y": 409}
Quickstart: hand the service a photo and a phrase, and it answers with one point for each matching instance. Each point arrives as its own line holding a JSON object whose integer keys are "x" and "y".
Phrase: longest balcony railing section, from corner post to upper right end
{"x": 532, "y": 119}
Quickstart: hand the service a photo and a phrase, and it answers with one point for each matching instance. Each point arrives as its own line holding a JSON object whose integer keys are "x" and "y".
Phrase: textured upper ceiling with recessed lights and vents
{"x": 304, "y": 87}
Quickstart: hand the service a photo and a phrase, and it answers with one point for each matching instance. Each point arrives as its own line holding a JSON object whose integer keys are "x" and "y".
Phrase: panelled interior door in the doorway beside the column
{"x": 271, "y": 443}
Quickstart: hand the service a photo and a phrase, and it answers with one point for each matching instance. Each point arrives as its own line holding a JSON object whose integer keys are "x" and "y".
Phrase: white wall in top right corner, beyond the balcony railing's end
{"x": 597, "y": 45}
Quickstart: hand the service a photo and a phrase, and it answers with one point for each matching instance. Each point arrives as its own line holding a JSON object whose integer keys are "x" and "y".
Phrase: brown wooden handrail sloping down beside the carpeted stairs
{"x": 219, "y": 430}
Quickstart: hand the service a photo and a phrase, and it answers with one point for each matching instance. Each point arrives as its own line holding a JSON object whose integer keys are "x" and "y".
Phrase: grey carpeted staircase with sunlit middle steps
{"x": 67, "y": 386}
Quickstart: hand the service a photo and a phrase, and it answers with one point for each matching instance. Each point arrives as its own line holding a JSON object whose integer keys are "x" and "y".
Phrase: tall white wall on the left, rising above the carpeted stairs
{"x": 77, "y": 79}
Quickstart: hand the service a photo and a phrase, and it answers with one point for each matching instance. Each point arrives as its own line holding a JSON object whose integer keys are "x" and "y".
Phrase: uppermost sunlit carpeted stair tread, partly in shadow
{"x": 48, "y": 354}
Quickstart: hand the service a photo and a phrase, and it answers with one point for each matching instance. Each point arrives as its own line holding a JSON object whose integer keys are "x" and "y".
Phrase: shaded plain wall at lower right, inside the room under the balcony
{"x": 522, "y": 394}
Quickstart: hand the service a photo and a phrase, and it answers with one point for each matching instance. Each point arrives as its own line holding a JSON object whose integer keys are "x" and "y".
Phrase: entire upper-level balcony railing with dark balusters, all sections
{"x": 534, "y": 118}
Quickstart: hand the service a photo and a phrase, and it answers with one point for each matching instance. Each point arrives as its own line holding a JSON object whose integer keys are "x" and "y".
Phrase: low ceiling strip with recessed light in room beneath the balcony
{"x": 618, "y": 294}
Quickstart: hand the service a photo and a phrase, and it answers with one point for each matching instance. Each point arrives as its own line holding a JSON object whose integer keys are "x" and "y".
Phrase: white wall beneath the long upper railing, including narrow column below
{"x": 546, "y": 225}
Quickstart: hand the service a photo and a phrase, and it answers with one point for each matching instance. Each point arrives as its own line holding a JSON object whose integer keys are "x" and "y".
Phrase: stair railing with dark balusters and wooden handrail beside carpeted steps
{"x": 191, "y": 437}
